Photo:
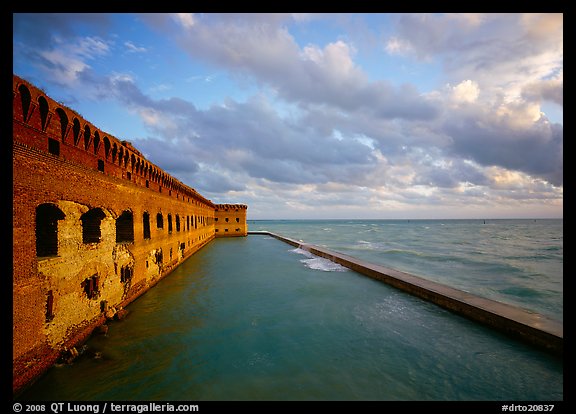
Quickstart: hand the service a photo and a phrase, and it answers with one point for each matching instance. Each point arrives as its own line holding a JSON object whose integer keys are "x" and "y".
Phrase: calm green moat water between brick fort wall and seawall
{"x": 255, "y": 319}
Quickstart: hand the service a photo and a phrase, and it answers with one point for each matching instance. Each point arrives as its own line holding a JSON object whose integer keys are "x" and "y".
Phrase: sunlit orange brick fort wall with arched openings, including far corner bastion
{"x": 95, "y": 224}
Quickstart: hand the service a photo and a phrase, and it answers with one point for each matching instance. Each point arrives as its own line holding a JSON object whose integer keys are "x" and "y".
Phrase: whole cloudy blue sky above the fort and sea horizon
{"x": 322, "y": 116}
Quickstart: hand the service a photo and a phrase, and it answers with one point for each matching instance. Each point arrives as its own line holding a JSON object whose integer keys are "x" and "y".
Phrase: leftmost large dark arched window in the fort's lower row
{"x": 47, "y": 216}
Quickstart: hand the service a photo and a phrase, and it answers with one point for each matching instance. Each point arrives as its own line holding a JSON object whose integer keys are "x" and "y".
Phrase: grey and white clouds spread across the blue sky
{"x": 341, "y": 137}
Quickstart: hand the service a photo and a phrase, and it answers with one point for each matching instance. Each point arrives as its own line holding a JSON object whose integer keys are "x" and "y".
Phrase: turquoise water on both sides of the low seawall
{"x": 255, "y": 319}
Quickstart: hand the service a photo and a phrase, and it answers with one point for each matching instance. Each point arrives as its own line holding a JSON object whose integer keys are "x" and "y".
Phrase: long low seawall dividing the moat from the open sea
{"x": 523, "y": 324}
